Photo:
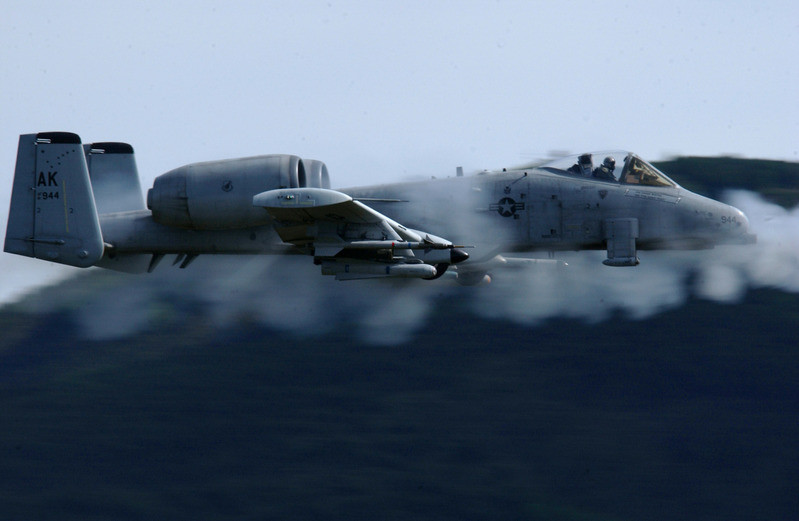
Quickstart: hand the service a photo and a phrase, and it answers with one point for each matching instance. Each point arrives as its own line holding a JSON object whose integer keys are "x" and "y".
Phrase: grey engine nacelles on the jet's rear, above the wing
{"x": 218, "y": 195}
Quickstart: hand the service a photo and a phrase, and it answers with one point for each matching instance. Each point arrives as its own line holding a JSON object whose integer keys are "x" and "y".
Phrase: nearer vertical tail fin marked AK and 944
{"x": 52, "y": 214}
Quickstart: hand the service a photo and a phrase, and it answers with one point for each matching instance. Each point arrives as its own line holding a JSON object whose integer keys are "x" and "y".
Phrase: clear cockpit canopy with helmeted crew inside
{"x": 611, "y": 166}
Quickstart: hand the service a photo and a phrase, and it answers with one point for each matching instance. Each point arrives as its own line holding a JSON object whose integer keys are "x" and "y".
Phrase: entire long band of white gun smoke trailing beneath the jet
{"x": 289, "y": 294}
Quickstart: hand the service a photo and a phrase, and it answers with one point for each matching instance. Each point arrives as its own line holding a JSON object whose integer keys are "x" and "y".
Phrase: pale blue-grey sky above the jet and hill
{"x": 391, "y": 90}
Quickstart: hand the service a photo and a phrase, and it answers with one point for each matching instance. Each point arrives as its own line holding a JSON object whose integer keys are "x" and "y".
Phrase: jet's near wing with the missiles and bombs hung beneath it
{"x": 351, "y": 240}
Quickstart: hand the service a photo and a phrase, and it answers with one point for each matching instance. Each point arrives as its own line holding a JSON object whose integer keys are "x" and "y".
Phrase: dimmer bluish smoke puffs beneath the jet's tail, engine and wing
{"x": 284, "y": 293}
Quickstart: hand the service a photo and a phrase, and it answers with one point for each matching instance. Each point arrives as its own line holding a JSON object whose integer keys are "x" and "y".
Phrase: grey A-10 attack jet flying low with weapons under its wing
{"x": 82, "y": 205}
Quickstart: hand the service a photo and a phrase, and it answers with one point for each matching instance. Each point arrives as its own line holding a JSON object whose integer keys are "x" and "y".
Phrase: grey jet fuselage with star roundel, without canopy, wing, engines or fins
{"x": 510, "y": 211}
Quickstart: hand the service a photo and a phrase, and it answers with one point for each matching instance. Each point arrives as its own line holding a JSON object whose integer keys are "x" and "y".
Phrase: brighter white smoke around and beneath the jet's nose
{"x": 589, "y": 291}
